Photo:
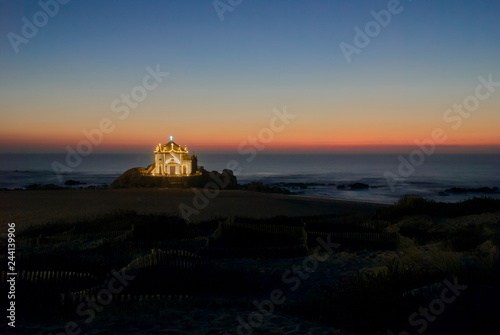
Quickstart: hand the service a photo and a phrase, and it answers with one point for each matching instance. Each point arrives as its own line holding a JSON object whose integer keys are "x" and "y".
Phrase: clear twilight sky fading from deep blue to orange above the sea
{"x": 349, "y": 75}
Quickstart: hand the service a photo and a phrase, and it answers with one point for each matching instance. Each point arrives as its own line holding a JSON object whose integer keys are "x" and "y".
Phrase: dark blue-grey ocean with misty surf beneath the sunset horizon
{"x": 437, "y": 173}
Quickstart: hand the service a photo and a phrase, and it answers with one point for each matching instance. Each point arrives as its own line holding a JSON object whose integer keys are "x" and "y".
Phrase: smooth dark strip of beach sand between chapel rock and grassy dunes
{"x": 38, "y": 207}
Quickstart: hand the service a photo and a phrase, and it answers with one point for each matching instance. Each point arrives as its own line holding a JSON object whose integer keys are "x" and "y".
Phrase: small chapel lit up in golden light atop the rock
{"x": 173, "y": 161}
